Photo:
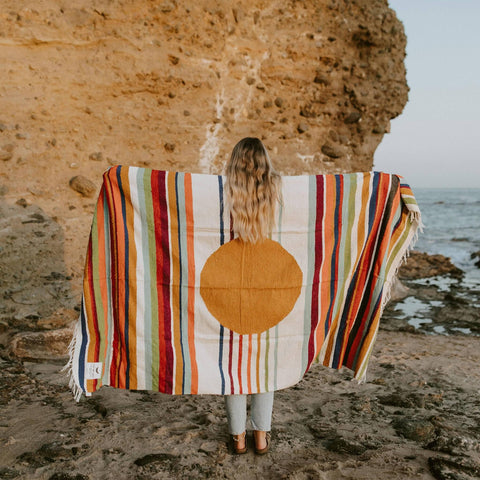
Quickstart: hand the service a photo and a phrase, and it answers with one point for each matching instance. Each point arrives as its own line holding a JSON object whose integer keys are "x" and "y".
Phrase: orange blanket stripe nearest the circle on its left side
{"x": 191, "y": 282}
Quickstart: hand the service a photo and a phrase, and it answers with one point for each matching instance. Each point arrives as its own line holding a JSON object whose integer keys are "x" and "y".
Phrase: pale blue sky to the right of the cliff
{"x": 435, "y": 142}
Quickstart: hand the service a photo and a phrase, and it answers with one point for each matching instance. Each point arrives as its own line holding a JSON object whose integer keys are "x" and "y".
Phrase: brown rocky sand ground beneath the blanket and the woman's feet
{"x": 417, "y": 416}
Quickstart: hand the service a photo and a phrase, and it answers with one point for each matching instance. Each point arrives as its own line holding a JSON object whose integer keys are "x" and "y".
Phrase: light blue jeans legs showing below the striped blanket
{"x": 260, "y": 412}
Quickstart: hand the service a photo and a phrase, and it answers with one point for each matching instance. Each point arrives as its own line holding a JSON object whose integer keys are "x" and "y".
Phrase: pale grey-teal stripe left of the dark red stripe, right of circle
{"x": 307, "y": 320}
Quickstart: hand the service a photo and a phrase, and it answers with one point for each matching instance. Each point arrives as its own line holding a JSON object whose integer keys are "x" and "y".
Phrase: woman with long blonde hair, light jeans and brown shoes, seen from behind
{"x": 253, "y": 189}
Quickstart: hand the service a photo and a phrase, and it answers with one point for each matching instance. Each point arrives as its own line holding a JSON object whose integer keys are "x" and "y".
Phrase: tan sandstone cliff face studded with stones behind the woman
{"x": 169, "y": 85}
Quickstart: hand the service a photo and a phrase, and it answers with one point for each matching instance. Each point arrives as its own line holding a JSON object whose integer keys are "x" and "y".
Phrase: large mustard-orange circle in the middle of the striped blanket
{"x": 248, "y": 287}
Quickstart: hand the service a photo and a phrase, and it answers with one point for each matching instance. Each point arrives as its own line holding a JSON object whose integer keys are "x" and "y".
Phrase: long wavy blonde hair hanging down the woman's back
{"x": 253, "y": 188}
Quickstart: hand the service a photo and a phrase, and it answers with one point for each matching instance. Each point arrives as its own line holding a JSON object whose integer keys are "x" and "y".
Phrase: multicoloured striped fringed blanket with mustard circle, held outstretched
{"x": 172, "y": 302}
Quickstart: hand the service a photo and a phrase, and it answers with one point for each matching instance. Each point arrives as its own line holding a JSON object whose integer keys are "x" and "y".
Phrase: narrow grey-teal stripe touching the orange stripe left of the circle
{"x": 182, "y": 237}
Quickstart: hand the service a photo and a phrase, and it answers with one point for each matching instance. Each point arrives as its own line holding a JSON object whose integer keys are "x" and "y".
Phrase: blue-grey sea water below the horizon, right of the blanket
{"x": 452, "y": 226}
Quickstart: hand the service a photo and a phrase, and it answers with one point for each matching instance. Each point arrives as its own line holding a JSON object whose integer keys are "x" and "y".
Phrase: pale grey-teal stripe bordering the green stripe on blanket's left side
{"x": 143, "y": 183}
